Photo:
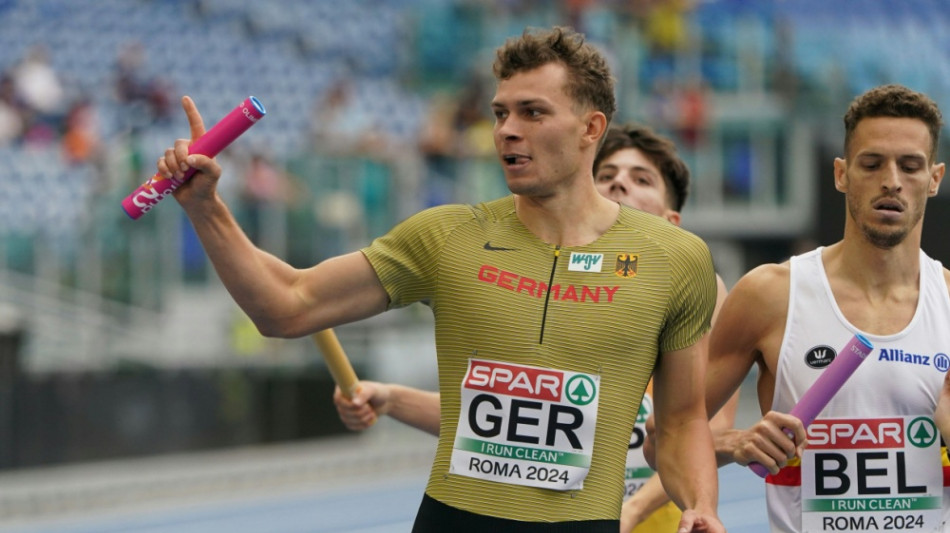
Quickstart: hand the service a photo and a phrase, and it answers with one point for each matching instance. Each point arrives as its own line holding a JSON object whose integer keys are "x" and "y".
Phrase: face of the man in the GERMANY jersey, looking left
{"x": 538, "y": 131}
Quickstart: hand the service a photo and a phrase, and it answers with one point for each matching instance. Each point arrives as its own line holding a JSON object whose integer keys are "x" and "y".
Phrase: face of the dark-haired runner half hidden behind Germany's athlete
{"x": 628, "y": 177}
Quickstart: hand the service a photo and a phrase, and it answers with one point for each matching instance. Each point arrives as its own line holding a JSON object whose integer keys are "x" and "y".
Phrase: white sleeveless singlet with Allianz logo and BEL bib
{"x": 874, "y": 460}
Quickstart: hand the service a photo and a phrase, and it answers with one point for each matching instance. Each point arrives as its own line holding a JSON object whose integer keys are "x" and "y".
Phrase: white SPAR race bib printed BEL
{"x": 879, "y": 474}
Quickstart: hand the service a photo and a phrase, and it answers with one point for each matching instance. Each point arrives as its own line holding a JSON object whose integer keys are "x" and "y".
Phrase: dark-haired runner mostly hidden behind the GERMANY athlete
{"x": 635, "y": 167}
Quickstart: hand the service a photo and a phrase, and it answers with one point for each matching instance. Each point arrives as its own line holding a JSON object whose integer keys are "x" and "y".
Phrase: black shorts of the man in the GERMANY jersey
{"x": 437, "y": 517}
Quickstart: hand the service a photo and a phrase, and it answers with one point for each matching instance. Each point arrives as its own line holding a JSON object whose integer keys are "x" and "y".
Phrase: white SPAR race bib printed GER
{"x": 526, "y": 425}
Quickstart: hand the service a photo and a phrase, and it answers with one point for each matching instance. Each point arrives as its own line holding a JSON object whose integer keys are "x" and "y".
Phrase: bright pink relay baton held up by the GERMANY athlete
{"x": 242, "y": 117}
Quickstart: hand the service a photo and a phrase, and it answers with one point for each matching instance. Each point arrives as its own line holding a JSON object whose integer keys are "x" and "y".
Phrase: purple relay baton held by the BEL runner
{"x": 826, "y": 386}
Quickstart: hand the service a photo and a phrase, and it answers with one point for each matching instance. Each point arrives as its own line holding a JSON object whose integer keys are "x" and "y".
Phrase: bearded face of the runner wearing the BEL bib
{"x": 887, "y": 178}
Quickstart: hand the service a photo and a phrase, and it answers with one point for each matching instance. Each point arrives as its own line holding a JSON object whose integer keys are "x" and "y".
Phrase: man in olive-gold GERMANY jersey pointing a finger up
{"x": 536, "y": 381}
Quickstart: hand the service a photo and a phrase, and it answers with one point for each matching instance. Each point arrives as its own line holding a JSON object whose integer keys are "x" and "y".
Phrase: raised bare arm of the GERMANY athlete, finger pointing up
{"x": 283, "y": 301}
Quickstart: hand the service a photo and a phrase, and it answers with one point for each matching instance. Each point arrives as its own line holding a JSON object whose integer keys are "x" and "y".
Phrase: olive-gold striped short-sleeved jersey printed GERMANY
{"x": 498, "y": 293}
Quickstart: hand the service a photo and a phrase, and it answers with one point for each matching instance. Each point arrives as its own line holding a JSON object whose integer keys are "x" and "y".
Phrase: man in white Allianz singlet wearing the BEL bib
{"x": 871, "y": 462}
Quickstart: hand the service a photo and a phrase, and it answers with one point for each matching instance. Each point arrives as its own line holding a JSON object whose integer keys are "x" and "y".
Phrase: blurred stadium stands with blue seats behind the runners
{"x": 117, "y": 340}
